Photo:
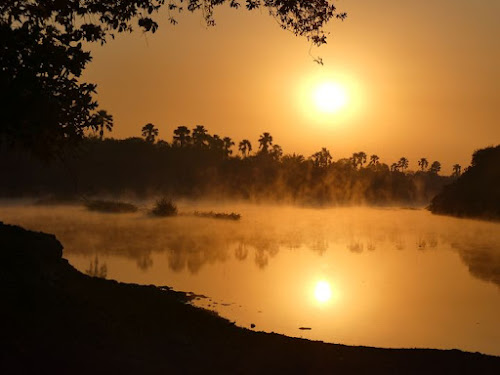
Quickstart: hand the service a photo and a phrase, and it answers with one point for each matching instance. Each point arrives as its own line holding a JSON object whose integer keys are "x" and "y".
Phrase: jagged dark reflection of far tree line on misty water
{"x": 192, "y": 243}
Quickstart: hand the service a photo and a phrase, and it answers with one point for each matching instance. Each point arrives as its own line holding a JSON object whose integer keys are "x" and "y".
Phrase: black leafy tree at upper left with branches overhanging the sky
{"x": 44, "y": 105}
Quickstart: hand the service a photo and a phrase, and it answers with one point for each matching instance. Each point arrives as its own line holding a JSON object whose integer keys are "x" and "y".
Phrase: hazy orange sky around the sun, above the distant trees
{"x": 422, "y": 79}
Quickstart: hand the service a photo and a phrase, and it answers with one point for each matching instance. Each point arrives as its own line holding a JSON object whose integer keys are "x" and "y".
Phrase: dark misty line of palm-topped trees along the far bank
{"x": 197, "y": 164}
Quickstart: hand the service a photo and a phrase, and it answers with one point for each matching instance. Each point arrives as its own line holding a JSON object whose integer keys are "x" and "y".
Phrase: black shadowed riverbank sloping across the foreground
{"x": 56, "y": 320}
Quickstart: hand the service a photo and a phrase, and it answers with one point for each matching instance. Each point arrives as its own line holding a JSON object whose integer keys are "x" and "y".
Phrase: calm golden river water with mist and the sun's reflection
{"x": 357, "y": 276}
